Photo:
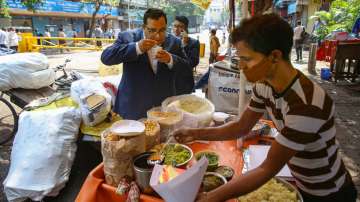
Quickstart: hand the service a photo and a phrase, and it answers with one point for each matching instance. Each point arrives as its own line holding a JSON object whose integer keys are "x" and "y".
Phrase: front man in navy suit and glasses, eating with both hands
{"x": 150, "y": 58}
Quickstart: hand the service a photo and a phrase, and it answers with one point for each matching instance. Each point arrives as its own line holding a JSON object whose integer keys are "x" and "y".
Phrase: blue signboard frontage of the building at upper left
{"x": 69, "y": 15}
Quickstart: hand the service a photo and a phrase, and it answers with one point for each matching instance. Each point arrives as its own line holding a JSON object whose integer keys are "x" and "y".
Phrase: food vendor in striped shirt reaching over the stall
{"x": 301, "y": 110}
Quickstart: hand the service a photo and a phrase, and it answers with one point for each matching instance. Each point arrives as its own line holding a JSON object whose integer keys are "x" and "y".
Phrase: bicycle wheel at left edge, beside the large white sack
{"x": 8, "y": 121}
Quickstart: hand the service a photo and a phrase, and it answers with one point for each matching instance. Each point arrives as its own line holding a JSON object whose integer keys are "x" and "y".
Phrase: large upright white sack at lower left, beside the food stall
{"x": 42, "y": 154}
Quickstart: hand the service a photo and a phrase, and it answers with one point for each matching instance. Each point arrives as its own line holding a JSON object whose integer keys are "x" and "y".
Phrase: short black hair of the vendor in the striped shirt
{"x": 265, "y": 33}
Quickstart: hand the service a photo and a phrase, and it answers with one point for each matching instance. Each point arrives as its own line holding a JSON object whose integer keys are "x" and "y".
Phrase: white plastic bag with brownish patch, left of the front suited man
{"x": 85, "y": 89}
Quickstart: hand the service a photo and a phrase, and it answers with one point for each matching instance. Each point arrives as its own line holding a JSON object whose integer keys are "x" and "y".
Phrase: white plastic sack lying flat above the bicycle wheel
{"x": 28, "y": 70}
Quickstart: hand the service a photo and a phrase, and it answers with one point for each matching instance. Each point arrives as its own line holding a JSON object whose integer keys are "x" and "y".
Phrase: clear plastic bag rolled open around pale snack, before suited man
{"x": 197, "y": 119}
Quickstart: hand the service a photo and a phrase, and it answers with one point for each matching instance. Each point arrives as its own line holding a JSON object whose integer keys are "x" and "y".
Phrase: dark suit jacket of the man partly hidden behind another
{"x": 184, "y": 81}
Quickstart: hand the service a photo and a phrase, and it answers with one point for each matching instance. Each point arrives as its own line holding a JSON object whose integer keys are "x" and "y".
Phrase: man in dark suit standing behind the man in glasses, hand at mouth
{"x": 184, "y": 81}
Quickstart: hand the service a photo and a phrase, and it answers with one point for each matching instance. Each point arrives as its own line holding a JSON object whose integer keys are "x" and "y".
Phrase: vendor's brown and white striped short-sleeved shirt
{"x": 304, "y": 116}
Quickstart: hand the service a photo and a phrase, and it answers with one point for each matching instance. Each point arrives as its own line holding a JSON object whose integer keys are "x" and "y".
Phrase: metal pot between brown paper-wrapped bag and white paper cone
{"x": 142, "y": 172}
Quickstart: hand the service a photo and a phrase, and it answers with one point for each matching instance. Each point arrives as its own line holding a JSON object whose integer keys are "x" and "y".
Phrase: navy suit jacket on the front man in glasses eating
{"x": 140, "y": 89}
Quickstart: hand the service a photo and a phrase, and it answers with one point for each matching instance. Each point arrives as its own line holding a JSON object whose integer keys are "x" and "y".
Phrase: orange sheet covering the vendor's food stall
{"x": 95, "y": 189}
